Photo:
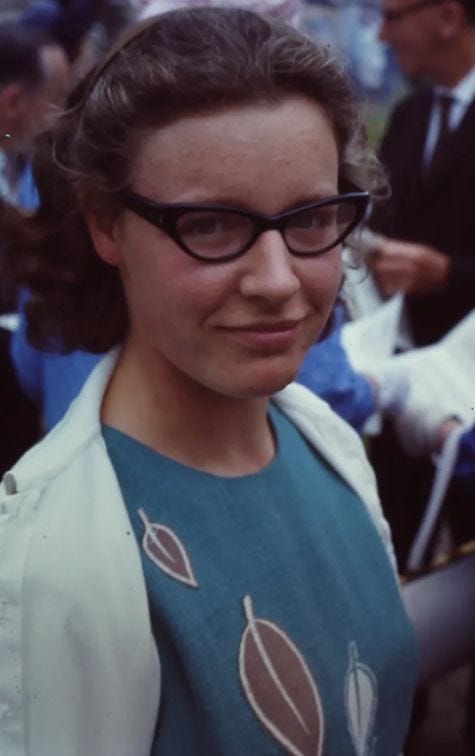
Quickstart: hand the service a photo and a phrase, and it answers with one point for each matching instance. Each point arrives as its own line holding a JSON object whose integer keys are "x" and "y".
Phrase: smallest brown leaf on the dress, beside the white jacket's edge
{"x": 166, "y": 551}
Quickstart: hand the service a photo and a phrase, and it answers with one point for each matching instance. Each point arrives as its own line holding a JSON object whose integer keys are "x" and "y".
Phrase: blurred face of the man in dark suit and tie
{"x": 415, "y": 35}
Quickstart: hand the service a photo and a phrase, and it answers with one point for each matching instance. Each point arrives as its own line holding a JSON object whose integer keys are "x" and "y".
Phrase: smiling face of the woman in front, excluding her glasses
{"x": 239, "y": 328}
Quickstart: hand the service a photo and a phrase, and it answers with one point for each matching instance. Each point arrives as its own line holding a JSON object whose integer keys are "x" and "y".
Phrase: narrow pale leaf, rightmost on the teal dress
{"x": 361, "y": 699}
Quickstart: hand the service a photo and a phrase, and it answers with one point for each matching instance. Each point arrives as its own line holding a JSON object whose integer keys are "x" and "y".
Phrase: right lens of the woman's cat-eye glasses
{"x": 320, "y": 227}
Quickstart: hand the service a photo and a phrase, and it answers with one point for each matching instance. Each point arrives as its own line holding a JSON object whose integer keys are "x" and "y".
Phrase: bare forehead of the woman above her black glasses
{"x": 229, "y": 150}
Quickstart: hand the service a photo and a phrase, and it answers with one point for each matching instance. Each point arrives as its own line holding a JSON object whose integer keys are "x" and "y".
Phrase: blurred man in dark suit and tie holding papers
{"x": 429, "y": 150}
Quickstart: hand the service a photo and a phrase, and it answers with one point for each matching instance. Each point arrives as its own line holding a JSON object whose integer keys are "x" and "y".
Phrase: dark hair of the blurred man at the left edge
{"x": 20, "y": 59}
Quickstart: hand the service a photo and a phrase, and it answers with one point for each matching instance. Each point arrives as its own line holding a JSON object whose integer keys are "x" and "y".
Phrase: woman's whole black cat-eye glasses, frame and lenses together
{"x": 216, "y": 233}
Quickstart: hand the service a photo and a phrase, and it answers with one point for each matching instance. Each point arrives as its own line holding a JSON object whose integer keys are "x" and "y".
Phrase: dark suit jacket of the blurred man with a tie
{"x": 438, "y": 211}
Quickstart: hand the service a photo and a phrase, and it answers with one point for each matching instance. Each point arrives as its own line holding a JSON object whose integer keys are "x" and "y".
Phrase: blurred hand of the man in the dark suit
{"x": 407, "y": 267}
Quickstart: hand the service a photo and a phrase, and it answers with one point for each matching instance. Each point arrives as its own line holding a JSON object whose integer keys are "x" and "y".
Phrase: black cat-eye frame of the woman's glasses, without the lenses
{"x": 165, "y": 216}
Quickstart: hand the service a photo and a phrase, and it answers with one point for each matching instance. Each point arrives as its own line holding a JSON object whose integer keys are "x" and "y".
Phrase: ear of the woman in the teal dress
{"x": 102, "y": 222}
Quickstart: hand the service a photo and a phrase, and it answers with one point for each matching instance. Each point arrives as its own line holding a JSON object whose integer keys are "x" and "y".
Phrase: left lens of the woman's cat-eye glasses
{"x": 213, "y": 234}
